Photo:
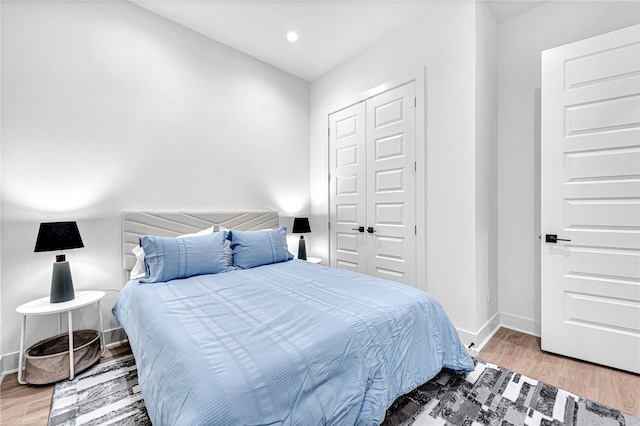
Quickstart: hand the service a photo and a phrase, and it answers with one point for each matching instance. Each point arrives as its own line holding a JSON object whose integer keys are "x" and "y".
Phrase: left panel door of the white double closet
{"x": 347, "y": 188}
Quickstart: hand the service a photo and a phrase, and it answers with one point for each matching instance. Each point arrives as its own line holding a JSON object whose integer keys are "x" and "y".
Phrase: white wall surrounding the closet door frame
{"x": 443, "y": 41}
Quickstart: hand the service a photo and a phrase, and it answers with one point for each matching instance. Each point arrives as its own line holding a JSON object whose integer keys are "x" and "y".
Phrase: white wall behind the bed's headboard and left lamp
{"x": 108, "y": 107}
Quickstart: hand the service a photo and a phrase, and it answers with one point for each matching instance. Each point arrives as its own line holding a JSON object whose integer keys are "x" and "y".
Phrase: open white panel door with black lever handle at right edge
{"x": 591, "y": 199}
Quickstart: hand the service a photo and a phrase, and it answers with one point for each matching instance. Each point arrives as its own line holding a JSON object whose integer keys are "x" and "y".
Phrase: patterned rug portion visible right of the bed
{"x": 492, "y": 395}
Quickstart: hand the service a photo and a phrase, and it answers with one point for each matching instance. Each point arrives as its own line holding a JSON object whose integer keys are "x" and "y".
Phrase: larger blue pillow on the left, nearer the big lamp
{"x": 168, "y": 258}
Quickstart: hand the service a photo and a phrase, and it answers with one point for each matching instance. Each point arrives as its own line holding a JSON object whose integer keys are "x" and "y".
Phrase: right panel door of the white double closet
{"x": 391, "y": 192}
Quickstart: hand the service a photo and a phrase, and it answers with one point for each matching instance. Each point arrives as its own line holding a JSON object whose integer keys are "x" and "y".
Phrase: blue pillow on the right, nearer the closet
{"x": 255, "y": 248}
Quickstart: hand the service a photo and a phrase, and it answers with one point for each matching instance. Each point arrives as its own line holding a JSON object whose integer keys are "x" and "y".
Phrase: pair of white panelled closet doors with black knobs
{"x": 372, "y": 194}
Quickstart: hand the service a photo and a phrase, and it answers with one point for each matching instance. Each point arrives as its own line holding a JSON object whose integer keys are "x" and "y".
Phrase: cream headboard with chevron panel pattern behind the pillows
{"x": 174, "y": 223}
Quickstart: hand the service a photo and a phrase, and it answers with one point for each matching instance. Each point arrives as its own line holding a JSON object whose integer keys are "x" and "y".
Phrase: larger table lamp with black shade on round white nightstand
{"x": 58, "y": 236}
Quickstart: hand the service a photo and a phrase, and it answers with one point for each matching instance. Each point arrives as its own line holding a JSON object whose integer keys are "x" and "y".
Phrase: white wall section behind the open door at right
{"x": 521, "y": 41}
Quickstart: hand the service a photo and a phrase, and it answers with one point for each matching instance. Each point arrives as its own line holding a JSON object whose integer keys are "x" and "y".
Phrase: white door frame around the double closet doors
{"x": 419, "y": 76}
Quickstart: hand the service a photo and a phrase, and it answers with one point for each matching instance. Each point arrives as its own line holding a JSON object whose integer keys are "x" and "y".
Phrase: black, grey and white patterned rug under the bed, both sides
{"x": 108, "y": 394}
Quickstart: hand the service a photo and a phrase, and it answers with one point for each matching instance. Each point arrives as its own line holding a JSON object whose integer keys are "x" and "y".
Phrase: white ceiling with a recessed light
{"x": 330, "y": 32}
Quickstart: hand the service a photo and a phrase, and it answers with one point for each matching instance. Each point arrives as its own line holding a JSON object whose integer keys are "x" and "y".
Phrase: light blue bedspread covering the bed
{"x": 284, "y": 344}
